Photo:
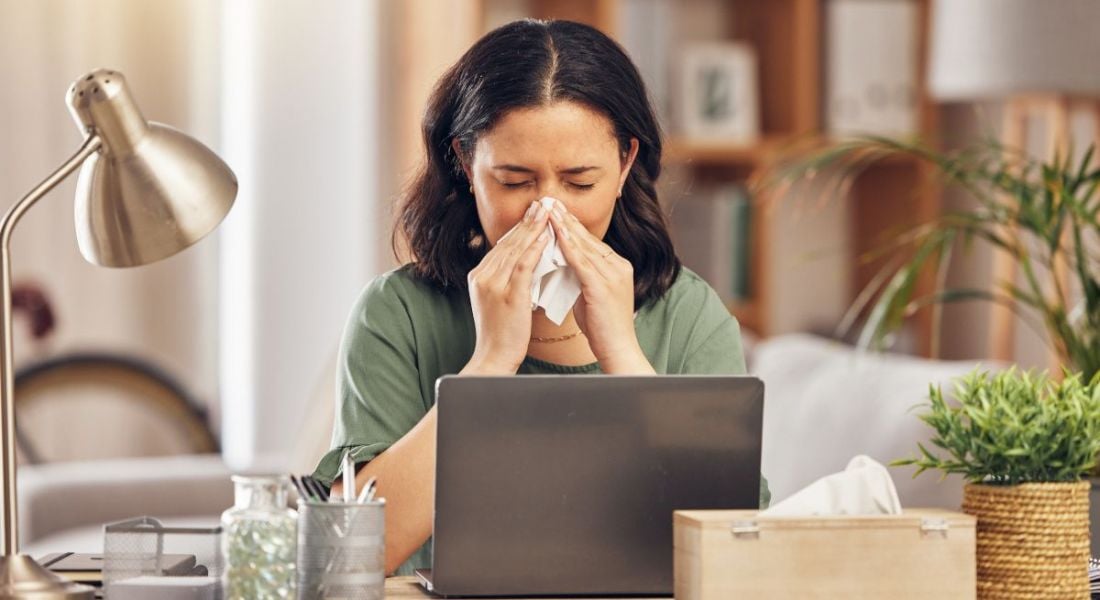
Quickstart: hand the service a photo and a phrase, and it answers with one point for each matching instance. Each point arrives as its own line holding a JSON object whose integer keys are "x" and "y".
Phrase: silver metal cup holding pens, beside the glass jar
{"x": 342, "y": 550}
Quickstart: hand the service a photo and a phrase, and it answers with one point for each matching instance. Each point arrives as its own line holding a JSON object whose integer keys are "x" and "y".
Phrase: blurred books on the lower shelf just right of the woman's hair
{"x": 712, "y": 233}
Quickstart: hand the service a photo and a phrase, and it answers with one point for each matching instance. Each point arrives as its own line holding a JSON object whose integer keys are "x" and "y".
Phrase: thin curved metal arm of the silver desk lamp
{"x": 9, "y": 522}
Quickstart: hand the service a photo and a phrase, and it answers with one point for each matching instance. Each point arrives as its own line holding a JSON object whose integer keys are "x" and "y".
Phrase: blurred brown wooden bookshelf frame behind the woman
{"x": 788, "y": 39}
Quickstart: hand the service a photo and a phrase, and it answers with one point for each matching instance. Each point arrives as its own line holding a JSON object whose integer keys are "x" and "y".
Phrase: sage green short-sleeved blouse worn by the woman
{"x": 403, "y": 335}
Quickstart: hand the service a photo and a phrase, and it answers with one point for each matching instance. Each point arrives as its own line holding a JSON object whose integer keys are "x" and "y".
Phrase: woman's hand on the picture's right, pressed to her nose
{"x": 606, "y": 309}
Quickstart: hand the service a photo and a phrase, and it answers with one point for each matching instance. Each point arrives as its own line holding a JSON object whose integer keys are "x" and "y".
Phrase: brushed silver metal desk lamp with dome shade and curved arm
{"x": 145, "y": 193}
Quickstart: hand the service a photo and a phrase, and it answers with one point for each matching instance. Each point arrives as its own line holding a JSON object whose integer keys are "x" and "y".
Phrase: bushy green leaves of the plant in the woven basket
{"x": 1014, "y": 428}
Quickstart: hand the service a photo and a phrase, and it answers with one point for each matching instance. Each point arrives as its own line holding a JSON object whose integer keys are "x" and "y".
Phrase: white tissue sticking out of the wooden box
{"x": 865, "y": 487}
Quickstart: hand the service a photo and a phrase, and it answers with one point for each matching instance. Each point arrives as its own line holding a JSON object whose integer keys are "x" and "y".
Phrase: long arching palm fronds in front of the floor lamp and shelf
{"x": 1043, "y": 214}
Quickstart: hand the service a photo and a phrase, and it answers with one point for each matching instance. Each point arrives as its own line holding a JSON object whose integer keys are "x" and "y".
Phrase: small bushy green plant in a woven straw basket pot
{"x": 1024, "y": 443}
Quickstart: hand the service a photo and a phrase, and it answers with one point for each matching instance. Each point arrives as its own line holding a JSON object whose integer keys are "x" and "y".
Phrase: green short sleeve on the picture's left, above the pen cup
{"x": 379, "y": 398}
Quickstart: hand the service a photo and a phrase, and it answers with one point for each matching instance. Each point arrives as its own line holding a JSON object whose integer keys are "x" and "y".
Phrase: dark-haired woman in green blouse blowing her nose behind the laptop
{"x": 534, "y": 110}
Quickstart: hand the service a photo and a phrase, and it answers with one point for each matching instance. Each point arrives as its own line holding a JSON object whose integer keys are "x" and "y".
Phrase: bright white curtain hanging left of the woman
{"x": 300, "y": 107}
